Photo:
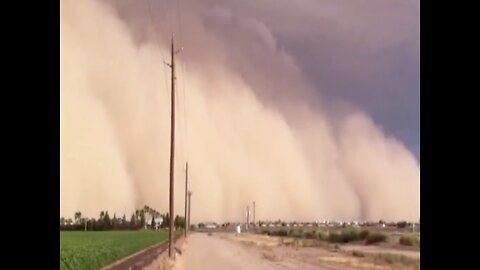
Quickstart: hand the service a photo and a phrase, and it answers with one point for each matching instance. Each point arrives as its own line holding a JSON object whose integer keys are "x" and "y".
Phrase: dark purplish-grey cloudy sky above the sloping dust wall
{"x": 362, "y": 51}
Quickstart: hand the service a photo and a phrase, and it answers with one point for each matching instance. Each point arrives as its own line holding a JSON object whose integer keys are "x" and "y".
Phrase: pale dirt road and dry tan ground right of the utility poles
{"x": 201, "y": 251}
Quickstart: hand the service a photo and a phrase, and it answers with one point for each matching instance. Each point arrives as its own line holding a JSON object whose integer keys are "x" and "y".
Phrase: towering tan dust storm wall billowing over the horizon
{"x": 251, "y": 124}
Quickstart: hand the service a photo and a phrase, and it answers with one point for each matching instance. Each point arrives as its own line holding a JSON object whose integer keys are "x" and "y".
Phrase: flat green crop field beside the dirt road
{"x": 94, "y": 250}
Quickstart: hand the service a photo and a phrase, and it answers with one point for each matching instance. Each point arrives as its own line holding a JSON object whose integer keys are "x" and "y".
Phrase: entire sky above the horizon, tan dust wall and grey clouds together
{"x": 310, "y": 108}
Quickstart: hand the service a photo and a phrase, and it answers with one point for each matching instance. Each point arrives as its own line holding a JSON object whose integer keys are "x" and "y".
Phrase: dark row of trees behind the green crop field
{"x": 104, "y": 222}
